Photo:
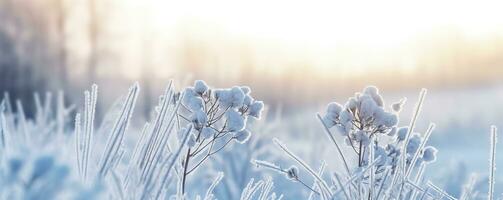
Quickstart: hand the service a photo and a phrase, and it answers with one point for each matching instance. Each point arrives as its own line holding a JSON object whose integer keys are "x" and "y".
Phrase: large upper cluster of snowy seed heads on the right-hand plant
{"x": 362, "y": 119}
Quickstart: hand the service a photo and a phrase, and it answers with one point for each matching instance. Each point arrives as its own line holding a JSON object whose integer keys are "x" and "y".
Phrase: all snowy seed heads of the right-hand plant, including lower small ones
{"x": 364, "y": 120}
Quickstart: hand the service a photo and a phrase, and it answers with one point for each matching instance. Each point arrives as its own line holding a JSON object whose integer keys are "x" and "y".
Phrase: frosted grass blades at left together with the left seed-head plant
{"x": 86, "y": 162}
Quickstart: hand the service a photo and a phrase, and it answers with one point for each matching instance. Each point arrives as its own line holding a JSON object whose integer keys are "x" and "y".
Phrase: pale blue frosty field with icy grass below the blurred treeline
{"x": 235, "y": 156}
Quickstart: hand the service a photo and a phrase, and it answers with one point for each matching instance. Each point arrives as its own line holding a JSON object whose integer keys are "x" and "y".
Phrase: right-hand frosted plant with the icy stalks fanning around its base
{"x": 386, "y": 156}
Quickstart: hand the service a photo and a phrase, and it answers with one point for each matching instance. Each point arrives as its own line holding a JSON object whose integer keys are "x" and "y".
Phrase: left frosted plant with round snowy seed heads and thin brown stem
{"x": 219, "y": 117}
